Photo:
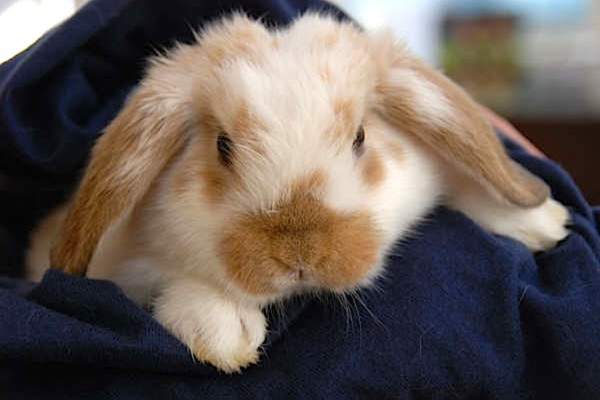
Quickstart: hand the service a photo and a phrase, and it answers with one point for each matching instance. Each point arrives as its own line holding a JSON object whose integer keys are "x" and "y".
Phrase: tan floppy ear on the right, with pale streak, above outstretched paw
{"x": 425, "y": 104}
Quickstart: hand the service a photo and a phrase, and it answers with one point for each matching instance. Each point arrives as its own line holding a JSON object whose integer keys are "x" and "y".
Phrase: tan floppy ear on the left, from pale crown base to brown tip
{"x": 147, "y": 133}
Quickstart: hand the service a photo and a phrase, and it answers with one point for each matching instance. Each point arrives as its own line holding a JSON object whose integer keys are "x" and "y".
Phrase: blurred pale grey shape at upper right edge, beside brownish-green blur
{"x": 562, "y": 59}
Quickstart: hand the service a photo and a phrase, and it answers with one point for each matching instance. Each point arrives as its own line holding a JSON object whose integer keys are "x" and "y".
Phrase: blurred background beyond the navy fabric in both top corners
{"x": 535, "y": 62}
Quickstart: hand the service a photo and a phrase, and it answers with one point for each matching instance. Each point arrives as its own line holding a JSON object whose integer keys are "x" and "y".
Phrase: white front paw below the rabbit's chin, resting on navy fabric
{"x": 216, "y": 329}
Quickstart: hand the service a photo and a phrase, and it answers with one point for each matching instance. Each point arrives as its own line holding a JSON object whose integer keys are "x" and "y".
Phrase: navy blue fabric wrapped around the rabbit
{"x": 462, "y": 314}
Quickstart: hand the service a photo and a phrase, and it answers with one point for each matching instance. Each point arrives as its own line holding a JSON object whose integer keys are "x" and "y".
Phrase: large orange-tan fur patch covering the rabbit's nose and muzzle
{"x": 335, "y": 249}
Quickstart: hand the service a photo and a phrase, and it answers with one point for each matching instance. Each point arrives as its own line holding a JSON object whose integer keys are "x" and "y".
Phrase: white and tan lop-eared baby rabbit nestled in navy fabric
{"x": 259, "y": 163}
